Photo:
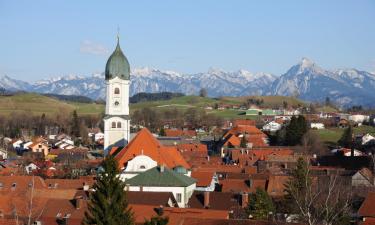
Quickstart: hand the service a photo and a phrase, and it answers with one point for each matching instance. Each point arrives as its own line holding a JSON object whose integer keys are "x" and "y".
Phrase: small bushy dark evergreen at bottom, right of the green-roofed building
{"x": 260, "y": 205}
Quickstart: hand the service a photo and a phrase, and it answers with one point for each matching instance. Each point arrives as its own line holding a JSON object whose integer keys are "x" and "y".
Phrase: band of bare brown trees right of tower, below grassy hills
{"x": 192, "y": 118}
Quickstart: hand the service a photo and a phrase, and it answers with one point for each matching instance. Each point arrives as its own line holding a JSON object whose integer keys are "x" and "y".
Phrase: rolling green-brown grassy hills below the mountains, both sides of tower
{"x": 38, "y": 104}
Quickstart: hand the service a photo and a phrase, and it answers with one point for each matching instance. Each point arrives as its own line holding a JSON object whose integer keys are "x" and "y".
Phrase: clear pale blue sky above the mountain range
{"x": 44, "y": 39}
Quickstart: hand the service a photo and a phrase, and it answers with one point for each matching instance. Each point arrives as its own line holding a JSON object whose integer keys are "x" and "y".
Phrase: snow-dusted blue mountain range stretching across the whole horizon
{"x": 306, "y": 80}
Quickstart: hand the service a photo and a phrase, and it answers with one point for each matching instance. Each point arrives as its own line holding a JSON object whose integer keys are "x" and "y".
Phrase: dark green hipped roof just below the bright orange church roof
{"x": 160, "y": 177}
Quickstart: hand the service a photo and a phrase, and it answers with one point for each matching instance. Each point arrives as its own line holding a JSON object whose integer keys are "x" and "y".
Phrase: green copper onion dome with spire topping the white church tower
{"x": 117, "y": 65}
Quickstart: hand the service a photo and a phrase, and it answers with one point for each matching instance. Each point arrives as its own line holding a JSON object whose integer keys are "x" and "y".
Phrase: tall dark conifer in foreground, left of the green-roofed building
{"x": 108, "y": 204}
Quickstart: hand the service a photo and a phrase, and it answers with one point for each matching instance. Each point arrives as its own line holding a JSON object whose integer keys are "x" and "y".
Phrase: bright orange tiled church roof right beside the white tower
{"x": 144, "y": 143}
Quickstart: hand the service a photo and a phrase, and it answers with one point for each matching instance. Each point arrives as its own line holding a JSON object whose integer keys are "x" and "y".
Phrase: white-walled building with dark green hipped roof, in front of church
{"x": 163, "y": 179}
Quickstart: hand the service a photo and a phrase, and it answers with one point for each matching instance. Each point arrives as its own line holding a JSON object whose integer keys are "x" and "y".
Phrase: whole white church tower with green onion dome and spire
{"x": 117, "y": 120}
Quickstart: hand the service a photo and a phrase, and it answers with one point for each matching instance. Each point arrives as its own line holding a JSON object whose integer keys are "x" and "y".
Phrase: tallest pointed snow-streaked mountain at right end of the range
{"x": 310, "y": 82}
